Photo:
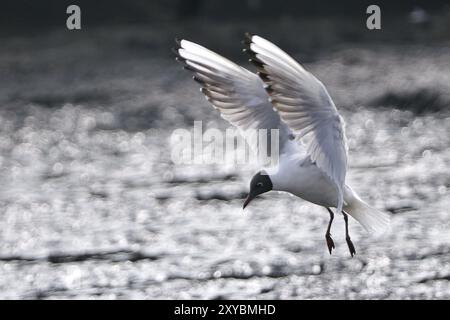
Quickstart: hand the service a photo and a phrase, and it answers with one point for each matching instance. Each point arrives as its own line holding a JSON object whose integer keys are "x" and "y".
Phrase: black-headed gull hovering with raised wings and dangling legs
{"x": 283, "y": 95}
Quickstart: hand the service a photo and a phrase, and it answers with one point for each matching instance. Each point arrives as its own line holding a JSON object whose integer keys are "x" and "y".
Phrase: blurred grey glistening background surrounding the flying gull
{"x": 91, "y": 205}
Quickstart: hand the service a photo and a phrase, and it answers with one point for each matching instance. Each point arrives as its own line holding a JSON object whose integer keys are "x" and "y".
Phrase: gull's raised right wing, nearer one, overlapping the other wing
{"x": 305, "y": 105}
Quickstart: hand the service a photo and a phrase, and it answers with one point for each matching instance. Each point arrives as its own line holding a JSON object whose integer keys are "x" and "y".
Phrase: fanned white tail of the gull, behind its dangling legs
{"x": 373, "y": 220}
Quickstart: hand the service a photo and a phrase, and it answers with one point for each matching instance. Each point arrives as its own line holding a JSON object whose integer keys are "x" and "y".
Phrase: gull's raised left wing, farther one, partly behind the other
{"x": 237, "y": 93}
